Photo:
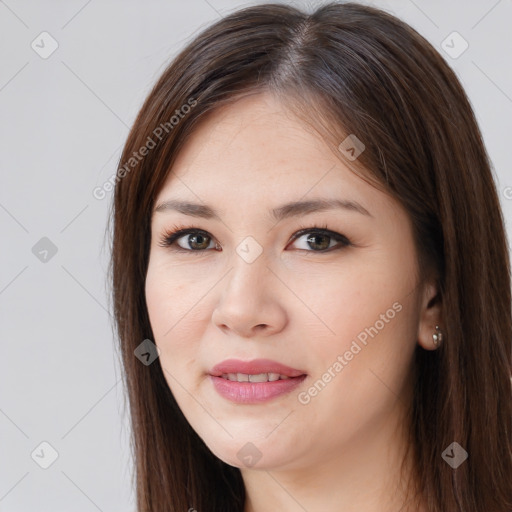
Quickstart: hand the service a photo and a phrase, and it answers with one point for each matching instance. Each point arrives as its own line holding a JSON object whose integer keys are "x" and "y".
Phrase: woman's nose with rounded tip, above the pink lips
{"x": 250, "y": 303}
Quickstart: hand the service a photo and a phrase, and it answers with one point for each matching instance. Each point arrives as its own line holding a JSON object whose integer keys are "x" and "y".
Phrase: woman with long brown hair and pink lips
{"x": 310, "y": 266}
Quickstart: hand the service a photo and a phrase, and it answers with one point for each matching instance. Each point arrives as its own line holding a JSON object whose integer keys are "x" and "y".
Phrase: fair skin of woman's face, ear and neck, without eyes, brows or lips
{"x": 294, "y": 304}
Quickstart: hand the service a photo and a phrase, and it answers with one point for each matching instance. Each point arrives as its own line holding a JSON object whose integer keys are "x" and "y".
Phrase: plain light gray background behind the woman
{"x": 64, "y": 120}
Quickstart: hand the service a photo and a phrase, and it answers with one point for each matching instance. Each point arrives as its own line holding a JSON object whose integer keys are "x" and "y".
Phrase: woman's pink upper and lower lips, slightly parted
{"x": 254, "y": 392}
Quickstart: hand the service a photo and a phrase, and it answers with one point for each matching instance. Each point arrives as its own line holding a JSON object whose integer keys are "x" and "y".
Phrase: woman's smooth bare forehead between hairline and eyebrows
{"x": 254, "y": 152}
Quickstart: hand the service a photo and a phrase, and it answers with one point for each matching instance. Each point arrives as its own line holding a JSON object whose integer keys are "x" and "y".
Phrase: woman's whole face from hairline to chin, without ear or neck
{"x": 330, "y": 294}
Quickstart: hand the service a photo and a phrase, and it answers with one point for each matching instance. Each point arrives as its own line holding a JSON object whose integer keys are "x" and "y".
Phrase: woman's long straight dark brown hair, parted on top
{"x": 346, "y": 69}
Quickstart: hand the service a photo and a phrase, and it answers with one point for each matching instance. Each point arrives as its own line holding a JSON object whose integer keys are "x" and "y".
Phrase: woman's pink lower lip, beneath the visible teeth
{"x": 254, "y": 392}
